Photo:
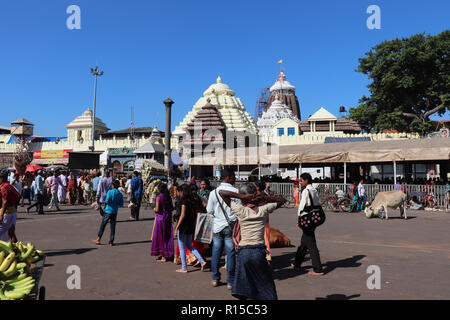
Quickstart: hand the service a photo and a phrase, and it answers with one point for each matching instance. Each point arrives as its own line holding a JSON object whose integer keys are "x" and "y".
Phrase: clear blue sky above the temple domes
{"x": 150, "y": 50}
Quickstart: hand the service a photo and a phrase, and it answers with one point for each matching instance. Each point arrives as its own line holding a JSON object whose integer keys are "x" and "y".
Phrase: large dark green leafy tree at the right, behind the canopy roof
{"x": 410, "y": 82}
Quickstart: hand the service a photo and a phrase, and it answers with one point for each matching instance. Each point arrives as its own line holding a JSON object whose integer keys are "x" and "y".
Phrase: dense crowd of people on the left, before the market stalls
{"x": 59, "y": 187}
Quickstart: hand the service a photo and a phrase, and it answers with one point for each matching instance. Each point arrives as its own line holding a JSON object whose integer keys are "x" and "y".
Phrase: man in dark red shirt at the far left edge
{"x": 9, "y": 199}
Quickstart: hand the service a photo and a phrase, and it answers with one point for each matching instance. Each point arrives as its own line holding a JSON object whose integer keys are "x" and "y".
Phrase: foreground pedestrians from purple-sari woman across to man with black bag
{"x": 248, "y": 272}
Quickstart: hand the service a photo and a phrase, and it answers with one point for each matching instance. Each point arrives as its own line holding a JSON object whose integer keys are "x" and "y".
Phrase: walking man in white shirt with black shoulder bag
{"x": 308, "y": 241}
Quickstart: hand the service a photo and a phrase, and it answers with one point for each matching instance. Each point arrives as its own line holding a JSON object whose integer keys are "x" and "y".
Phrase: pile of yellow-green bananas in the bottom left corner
{"x": 15, "y": 273}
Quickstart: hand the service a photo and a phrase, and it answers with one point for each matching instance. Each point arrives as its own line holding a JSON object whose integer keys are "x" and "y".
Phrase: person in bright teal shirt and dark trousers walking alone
{"x": 114, "y": 199}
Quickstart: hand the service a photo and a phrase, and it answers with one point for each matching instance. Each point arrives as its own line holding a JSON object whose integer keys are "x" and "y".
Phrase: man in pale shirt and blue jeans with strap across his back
{"x": 223, "y": 235}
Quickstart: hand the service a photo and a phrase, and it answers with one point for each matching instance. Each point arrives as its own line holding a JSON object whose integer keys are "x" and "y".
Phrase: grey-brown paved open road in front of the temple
{"x": 413, "y": 256}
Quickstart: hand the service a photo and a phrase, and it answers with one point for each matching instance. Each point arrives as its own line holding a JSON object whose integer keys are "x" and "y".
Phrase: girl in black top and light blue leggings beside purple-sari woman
{"x": 185, "y": 229}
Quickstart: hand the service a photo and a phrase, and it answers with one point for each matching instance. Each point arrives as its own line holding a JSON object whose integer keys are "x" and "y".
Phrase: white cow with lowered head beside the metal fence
{"x": 388, "y": 199}
